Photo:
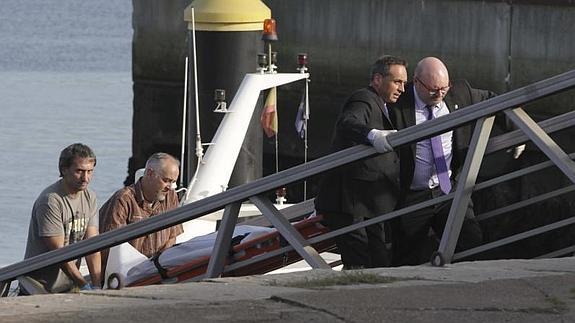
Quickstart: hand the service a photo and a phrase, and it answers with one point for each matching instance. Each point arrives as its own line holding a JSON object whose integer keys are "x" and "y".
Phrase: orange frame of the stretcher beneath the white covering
{"x": 308, "y": 228}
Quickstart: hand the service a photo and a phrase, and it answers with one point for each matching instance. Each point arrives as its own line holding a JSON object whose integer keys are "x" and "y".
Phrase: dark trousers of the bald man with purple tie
{"x": 414, "y": 243}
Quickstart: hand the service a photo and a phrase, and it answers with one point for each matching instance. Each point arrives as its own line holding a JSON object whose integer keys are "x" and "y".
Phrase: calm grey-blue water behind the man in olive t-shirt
{"x": 65, "y": 77}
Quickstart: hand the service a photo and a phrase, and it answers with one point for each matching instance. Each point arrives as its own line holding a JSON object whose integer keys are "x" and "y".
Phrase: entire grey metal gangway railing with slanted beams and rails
{"x": 481, "y": 114}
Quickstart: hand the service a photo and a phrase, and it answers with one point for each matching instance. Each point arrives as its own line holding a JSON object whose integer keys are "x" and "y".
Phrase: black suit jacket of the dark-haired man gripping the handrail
{"x": 368, "y": 187}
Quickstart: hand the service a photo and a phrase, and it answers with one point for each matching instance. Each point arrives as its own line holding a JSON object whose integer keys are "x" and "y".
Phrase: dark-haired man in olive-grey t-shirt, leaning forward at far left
{"x": 64, "y": 213}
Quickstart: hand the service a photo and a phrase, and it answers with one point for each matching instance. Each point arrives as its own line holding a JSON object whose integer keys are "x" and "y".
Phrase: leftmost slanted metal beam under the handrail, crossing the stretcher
{"x": 223, "y": 240}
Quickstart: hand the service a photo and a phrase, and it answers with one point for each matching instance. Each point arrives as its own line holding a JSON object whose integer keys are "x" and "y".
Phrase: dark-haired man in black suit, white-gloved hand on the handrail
{"x": 370, "y": 187}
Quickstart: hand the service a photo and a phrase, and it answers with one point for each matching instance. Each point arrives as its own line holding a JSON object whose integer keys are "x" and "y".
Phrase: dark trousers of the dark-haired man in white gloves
{"x": 362, "y": 248}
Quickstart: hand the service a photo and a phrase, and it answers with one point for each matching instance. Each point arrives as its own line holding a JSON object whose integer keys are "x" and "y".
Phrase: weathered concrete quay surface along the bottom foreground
{"x": 490, "y": 291}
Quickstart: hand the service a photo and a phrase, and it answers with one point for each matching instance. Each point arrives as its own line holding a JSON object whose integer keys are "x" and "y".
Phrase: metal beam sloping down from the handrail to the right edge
{"x": 543, "y": 141}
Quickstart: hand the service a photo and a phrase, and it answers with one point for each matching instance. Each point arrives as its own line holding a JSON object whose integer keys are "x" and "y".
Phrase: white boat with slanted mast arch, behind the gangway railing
{"x": 212, "y": 177}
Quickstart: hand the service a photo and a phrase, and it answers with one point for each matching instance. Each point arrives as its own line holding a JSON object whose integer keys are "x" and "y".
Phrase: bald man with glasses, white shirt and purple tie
{"x": 423, "y": 176}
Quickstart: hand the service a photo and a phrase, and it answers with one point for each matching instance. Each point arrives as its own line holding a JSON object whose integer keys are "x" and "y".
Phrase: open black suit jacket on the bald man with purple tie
{"x": 460, "y": 95}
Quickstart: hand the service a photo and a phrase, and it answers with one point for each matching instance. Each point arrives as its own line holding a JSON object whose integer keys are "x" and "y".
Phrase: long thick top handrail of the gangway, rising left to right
{"x": 241, "y": 193}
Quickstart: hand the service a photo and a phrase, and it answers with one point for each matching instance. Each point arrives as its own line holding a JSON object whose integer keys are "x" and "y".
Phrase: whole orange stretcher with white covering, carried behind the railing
{"x": 185, "y": 262}
